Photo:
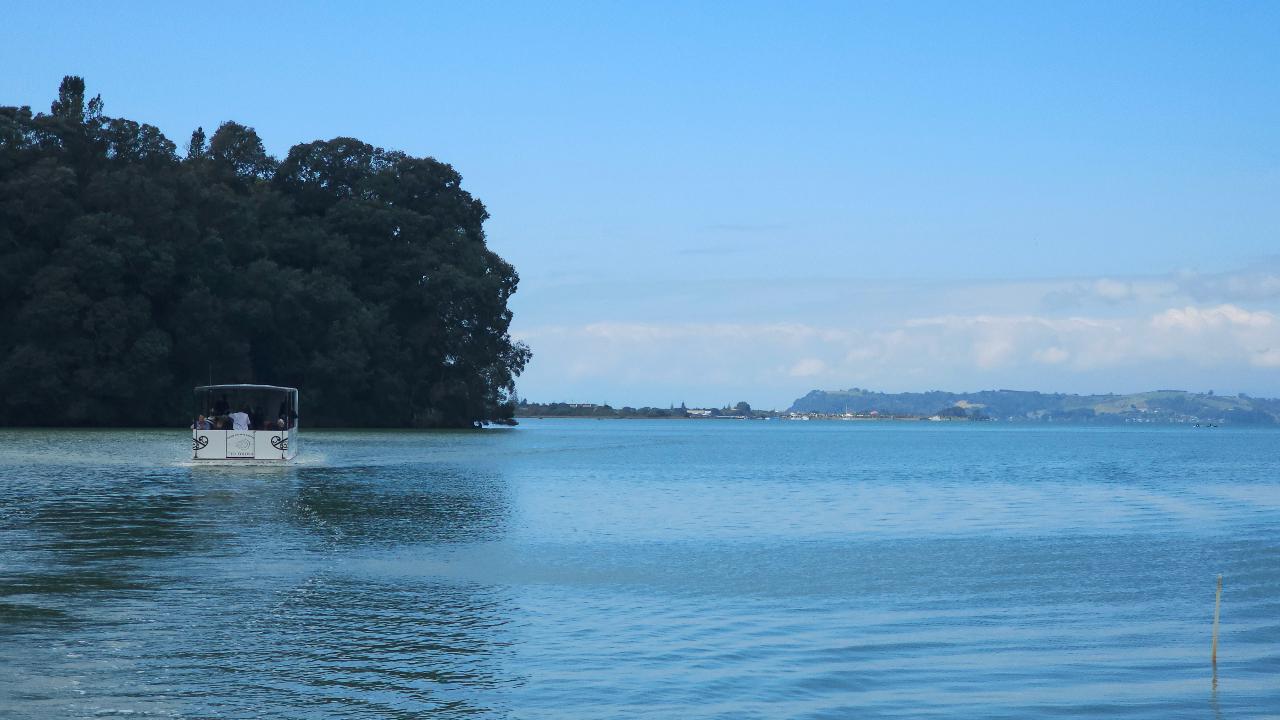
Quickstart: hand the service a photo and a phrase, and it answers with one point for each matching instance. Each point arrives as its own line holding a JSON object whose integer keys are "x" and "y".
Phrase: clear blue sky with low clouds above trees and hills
{"x": 723, "y": 202}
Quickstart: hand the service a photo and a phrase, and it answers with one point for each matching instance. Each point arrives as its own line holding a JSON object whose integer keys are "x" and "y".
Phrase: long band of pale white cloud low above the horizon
{"x": 730, "y": 362}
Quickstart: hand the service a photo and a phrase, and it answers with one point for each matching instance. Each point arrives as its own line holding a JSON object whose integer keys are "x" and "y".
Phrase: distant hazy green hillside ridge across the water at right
{"x": 1016, "y": 405}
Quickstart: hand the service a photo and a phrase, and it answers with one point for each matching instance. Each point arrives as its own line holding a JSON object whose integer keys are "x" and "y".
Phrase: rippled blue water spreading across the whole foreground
{"x": 646, "y": 569}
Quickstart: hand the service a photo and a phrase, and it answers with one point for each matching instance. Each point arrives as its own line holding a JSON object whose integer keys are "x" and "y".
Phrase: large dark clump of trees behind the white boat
{"x": 129, "y": 275}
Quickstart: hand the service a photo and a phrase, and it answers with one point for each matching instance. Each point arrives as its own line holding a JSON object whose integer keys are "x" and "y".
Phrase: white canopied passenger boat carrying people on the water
{"x": 245, "y": 423}
